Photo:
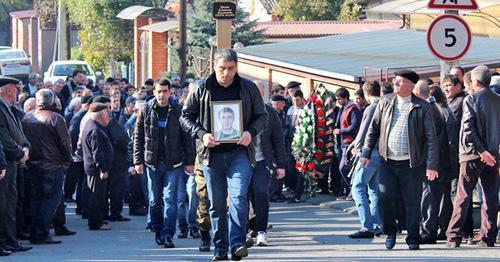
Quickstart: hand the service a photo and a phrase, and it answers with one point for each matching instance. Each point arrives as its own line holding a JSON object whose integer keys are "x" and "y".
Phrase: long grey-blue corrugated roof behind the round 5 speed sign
{"x": 345, "y": 56}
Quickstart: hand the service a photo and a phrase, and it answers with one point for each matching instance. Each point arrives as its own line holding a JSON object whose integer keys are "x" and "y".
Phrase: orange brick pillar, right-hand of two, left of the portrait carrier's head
{"x": 158, "y": 54}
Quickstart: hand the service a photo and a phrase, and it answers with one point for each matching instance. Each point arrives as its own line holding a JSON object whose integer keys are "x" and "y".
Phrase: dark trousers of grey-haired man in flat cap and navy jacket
{"x": 97, "y": 200}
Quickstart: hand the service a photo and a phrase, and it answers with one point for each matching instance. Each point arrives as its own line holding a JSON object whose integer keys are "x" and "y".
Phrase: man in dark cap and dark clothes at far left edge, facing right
{"x": 16, "y": 148}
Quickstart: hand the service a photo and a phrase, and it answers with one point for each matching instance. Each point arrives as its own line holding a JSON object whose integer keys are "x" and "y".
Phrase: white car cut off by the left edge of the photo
{"x": 15, "y": 63}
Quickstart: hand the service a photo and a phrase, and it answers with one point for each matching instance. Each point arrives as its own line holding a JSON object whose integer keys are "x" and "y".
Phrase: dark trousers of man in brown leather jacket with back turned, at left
{"x": 47, "y": 193}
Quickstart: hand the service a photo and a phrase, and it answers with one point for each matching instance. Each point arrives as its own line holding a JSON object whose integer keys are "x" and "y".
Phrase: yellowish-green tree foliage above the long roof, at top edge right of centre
{"x": 300, "y": 10}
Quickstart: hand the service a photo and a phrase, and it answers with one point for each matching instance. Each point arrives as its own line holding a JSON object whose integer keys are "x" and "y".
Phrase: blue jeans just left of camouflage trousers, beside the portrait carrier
{"x": 186, "y": 194}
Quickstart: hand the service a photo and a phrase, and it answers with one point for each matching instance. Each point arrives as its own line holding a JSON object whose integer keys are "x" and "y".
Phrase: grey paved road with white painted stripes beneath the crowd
{"x": 302, "y": 232}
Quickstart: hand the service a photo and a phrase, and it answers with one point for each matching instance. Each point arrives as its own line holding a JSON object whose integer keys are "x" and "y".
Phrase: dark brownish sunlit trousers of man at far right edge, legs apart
{"x": 470, "y": 173}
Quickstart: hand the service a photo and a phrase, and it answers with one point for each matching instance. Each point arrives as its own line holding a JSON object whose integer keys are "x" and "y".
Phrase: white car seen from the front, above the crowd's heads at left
{"x": 62, "y": 69}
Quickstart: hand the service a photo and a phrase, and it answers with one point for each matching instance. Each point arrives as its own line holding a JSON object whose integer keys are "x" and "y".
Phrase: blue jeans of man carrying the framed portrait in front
{"x": 230, "y": 171}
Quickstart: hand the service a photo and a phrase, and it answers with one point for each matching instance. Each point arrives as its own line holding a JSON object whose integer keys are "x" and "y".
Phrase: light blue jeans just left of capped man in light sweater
{"x": 367, "y": 202}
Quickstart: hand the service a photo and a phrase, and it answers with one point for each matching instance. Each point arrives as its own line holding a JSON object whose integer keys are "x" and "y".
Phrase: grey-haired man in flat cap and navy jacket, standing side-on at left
{"x": 97, "y": 158}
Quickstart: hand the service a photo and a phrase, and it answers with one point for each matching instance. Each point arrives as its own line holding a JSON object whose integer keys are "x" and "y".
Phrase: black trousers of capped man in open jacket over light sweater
{"x": 395, "y": 177}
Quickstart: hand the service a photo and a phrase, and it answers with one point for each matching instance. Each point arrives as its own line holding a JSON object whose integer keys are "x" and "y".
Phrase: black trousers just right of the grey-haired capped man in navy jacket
{"x": 115, "y": 193}
